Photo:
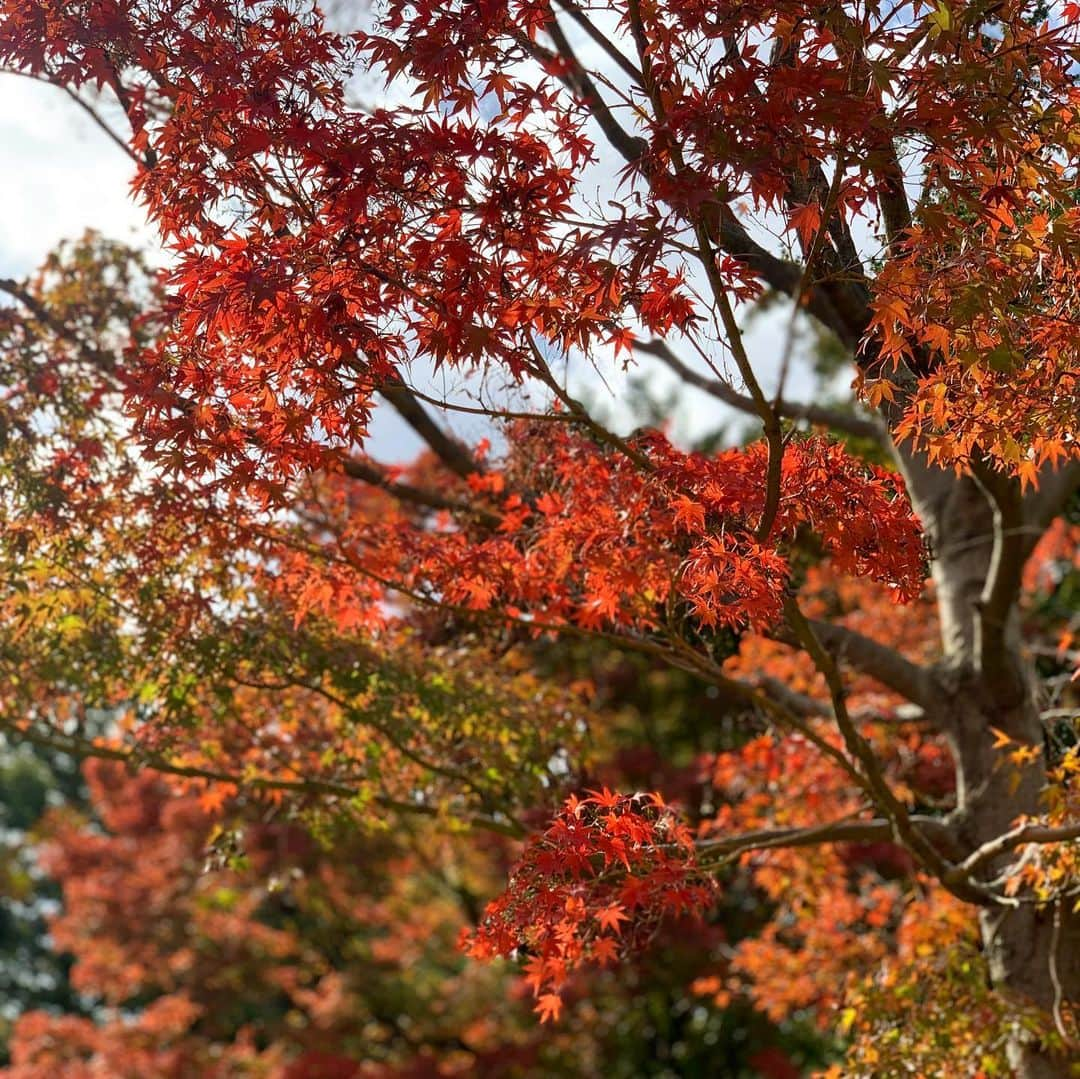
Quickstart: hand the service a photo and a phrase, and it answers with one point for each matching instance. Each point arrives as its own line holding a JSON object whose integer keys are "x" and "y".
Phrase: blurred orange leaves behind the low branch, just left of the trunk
{"x": 832, "y": 903}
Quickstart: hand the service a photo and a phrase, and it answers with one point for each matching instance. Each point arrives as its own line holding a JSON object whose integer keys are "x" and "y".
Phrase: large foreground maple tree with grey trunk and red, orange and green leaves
{"x": 201, "y": 546}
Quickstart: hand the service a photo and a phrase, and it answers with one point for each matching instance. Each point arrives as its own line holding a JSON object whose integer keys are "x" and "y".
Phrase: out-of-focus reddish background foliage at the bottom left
{"x": 234, "y": 968}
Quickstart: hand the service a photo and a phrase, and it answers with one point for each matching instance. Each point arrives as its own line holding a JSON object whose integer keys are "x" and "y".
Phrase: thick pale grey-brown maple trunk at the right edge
{"x": 1034, "y": 956}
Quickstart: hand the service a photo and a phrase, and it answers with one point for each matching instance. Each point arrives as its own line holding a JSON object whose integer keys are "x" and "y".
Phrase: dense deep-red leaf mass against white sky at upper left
{"x": 317, "y": 247}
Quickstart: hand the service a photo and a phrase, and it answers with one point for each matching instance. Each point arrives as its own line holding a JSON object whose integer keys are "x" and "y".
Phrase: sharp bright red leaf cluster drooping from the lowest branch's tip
{"x": 597, "y": 883}
